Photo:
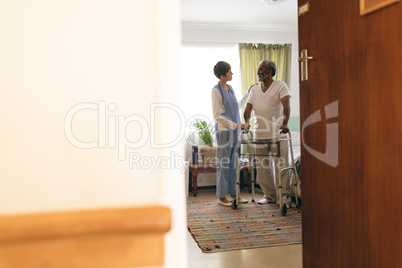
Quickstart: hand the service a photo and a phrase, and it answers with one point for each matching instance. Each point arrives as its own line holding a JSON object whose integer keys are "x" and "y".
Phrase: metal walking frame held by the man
{"x": 283, "y": 208}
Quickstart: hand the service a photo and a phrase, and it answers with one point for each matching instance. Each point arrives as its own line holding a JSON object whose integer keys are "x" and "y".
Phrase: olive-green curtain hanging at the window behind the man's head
{"x": 252, "y": 54}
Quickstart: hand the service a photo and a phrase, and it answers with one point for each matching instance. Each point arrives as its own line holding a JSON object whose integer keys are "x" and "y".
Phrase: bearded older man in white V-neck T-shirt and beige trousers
{"x": 270, "y": 101}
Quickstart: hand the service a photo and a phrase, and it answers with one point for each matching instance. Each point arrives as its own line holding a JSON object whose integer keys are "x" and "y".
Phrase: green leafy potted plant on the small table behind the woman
{"x": 206, "y": 133}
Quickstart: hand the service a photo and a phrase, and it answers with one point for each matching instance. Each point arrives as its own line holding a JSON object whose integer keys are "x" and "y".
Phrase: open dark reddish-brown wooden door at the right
{"x": 352, "y": 213}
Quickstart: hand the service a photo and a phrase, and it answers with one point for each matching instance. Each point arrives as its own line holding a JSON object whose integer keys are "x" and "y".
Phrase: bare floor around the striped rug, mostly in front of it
{"x": 275, "y": 257}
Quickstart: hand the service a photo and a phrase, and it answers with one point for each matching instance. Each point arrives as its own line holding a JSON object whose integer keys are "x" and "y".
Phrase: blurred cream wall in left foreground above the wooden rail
{"x": 56, "y": 56}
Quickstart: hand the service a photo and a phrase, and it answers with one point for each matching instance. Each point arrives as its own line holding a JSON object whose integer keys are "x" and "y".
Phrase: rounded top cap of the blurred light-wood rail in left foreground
{"x": 155, "y": 219}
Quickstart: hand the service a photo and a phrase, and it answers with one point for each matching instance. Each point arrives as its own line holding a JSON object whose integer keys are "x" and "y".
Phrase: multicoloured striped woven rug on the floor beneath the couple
{"x": 217, "y": 228}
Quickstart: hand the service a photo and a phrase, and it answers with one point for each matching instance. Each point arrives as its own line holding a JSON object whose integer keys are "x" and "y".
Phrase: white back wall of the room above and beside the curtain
{"x": 192, "y": 33}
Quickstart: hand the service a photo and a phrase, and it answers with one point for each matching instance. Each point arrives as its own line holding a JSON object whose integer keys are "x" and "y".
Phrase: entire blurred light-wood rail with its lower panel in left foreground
{"x": 115, "y": 237}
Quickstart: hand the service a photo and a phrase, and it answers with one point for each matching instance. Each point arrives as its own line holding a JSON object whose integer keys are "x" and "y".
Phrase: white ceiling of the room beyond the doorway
{"x": 240, "y": 14}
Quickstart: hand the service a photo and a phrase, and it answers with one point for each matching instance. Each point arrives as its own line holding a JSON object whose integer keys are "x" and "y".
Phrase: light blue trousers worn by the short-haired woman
{"x": 226, "y": 171}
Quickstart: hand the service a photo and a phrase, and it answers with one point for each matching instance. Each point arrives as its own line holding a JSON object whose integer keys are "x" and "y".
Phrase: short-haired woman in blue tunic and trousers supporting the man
{"x": 225, "y": 109}
